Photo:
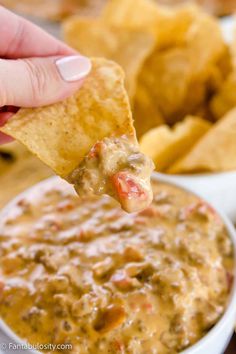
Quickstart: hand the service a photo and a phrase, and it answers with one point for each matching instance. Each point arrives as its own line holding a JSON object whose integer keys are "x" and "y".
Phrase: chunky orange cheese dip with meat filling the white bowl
{"x": 84, "y": 272}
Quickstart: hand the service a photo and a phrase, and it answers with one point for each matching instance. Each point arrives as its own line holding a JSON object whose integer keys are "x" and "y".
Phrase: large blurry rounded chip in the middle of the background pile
{"x": 176, "y": 79}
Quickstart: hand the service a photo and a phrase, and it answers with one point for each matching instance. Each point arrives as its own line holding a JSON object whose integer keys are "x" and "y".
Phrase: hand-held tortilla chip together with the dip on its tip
{"x": 91, "y": 123}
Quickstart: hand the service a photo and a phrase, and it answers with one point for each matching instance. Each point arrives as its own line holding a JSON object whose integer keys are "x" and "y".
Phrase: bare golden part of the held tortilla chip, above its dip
{"x": 63, "y": 133}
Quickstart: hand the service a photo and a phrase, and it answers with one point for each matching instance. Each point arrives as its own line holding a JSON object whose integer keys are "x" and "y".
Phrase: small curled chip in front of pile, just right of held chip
{"x": 164, "y": 145}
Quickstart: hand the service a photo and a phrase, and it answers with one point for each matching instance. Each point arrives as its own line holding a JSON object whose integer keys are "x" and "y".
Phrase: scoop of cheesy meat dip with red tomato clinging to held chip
{"x": 116, "y": 167}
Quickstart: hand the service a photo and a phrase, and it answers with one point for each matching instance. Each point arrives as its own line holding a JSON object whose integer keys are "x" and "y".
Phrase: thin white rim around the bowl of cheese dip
{"x": 214, "y": 331}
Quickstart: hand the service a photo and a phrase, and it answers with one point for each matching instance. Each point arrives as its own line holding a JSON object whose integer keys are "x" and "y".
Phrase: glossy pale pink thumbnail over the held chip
{"x": 74, "y": 67}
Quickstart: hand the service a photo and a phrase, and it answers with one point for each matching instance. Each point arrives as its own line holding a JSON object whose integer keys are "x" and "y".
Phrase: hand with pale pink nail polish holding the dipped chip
{"x": 35, "y": 68}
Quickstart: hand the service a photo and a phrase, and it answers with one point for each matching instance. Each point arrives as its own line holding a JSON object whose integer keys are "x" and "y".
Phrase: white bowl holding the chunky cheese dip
{"x": 214, "y": 342}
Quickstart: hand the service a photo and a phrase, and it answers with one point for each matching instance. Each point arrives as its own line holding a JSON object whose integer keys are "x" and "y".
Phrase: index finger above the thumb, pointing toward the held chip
{"x": 21, "y": 38}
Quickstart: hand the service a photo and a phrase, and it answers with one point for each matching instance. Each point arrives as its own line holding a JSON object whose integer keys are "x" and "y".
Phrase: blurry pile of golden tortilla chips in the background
{"x": 180, "y": 77}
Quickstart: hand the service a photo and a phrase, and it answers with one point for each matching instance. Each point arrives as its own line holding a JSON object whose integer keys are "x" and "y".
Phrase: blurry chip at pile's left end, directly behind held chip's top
{"x": 129, "y": 48}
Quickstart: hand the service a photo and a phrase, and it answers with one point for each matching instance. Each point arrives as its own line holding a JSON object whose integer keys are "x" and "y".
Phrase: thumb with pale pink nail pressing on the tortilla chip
{"x": 40, "y": 81}
